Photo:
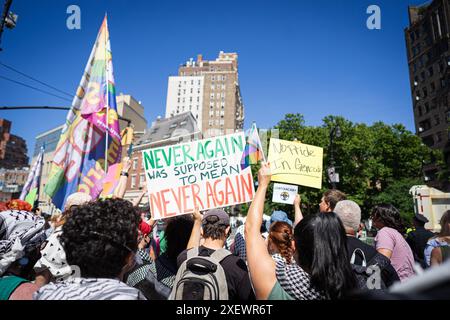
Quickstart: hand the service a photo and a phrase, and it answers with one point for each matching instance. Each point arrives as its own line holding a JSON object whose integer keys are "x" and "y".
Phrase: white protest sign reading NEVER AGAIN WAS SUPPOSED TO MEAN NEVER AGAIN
{"x": 206, "y": 174}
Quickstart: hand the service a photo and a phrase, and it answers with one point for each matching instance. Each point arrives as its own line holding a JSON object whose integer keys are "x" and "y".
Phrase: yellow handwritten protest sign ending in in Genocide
{"x": 296, "y": 163}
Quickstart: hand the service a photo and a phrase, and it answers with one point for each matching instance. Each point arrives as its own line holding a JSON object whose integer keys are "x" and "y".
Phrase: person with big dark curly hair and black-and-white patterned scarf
{"x": 100, "y": 241}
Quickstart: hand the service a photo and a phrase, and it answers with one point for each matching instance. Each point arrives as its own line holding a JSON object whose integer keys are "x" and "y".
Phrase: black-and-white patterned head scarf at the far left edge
{"x": 20, "y": 232}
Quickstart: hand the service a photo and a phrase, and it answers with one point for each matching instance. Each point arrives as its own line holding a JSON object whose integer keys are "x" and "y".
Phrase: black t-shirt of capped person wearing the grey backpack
{"x": 236, "y": 273}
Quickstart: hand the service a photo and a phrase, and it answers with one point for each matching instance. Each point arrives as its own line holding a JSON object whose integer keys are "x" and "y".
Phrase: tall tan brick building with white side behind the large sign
{"x": 211, "y": 91}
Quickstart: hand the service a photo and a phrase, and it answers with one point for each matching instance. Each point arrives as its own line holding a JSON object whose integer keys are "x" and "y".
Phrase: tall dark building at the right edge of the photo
{"x": 427, "y": 40}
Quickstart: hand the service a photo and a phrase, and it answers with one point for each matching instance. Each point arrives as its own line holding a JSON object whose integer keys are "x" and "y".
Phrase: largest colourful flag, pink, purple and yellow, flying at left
{"x": 92, "y": 126}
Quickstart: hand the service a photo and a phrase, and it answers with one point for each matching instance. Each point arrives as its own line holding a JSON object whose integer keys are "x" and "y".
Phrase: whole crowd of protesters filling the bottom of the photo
{"x": 112, "y": 249}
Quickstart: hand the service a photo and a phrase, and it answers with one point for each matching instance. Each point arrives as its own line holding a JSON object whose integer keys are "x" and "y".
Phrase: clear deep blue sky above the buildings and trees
{"x": 314, "y": 57}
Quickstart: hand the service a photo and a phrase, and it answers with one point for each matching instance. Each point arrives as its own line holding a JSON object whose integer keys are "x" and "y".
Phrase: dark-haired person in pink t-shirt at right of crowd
{"x": 389, "y": 240}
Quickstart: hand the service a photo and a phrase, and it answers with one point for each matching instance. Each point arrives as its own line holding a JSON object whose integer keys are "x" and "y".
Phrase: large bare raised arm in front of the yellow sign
{"x": 260, "y": 263}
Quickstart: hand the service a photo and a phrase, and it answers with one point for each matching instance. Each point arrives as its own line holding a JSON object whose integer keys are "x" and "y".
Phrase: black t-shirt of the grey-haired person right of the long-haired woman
{"x": 388, "y": 273}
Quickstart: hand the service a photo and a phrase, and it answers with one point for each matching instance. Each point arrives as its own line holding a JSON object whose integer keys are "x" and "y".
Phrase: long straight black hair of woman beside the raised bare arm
{"x": 321, "y": 245}
